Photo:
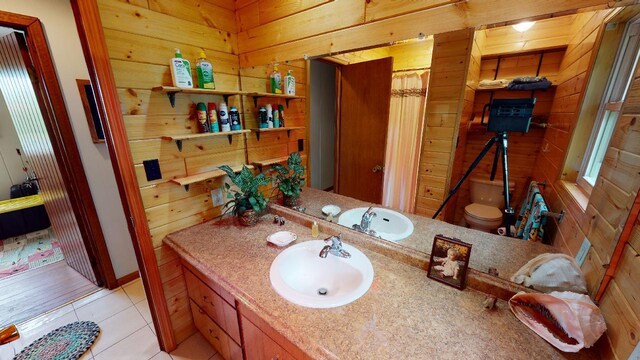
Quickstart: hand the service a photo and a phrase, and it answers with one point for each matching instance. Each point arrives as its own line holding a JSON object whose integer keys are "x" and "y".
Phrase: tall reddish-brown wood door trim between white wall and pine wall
{"x": 89, "y": 25}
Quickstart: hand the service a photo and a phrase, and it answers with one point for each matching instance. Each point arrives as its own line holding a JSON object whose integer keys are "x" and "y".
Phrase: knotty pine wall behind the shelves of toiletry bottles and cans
{"x": 141, "y": 36}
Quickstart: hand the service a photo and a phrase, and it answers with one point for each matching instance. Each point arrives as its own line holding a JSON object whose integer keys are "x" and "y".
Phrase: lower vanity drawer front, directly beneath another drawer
{"x": 214, "y": 334}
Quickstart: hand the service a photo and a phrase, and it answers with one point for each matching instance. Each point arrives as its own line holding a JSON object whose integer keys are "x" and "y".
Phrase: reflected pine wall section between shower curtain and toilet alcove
{"x": 445, "y": 107}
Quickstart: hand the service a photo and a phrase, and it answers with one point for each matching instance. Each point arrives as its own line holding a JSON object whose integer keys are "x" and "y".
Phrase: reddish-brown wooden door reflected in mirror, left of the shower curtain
{"x": 365, "y": 94}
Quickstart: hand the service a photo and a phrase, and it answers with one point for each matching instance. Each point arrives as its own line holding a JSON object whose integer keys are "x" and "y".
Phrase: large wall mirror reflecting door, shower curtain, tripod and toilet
{"x": 394, "y": 128}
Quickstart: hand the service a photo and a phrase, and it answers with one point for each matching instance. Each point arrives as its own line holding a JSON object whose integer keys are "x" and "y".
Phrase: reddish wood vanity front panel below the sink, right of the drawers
{"x": 258, "y": 346}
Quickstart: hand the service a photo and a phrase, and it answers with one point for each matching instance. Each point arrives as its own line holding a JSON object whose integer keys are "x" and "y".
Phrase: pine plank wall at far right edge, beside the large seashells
{"x": 609, "y": 205}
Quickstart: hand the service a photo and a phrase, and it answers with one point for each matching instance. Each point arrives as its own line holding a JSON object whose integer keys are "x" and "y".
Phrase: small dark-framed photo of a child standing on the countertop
{"x": 449, "y": 261}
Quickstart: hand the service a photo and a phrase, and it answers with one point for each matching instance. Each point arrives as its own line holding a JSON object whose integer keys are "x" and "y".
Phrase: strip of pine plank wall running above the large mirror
{"x": 274, "y": 31}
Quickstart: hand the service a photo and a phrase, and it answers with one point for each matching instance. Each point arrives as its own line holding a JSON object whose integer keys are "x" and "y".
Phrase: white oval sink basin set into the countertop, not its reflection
{"x": 299, "y": 275}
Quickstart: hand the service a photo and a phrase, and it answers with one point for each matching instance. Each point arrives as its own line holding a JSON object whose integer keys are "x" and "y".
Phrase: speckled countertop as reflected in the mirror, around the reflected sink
{"x": 507, "y": 255}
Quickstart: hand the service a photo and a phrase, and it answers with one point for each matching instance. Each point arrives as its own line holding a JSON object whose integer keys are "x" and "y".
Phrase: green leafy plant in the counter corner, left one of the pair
{"x": 248, "y": 195}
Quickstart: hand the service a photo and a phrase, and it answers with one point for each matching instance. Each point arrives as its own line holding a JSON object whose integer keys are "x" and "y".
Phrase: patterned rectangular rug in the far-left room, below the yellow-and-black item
{"x": 25, "y": 252}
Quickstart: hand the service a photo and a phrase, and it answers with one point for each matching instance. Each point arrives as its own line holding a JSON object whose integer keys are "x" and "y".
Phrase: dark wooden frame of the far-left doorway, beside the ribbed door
{"x": 56, "y": 119}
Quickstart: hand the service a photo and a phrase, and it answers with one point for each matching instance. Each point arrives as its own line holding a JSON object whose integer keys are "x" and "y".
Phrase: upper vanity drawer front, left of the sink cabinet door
{"x": 213, "y": 305}
